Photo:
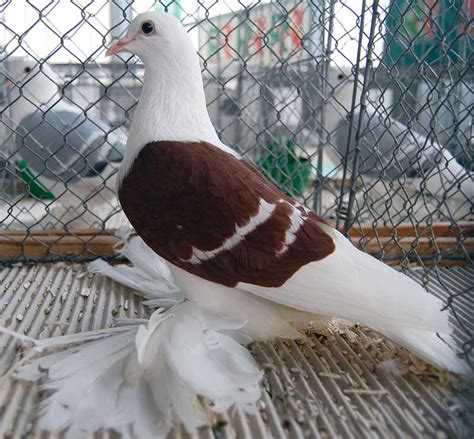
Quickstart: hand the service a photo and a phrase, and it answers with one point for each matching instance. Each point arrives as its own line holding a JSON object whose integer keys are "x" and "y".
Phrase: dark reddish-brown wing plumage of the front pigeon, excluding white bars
{"x": 179, "y": 196}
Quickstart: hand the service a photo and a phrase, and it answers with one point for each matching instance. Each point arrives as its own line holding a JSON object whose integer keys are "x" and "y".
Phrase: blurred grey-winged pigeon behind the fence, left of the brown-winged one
{"x": 72, "y": 153}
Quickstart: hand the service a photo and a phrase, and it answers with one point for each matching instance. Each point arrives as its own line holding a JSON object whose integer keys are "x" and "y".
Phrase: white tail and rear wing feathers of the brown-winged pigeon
{"x": 352, "y": 285}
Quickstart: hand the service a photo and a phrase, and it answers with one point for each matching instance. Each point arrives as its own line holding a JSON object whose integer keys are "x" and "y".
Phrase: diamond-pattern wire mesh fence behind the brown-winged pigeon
{"x": 362, "y": 110}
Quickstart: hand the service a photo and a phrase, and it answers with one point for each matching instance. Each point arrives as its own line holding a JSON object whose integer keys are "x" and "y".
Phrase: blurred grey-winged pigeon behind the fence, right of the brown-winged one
{"x": 388, "y": 149}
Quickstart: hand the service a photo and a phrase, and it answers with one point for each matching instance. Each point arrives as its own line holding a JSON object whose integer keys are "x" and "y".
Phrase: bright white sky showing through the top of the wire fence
{"x": 84, "y": 38}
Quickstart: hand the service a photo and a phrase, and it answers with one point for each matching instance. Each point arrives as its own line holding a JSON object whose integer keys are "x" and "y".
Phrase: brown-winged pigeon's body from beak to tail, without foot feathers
{"x": 230, "y": 236}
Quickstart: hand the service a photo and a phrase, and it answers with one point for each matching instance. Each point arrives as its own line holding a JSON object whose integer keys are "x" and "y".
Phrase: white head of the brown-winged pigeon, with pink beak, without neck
{"x": 158, "y": 39}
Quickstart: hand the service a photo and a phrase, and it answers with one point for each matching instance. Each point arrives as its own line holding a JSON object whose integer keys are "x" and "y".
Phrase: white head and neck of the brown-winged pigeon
{"x": 172, "y": 105}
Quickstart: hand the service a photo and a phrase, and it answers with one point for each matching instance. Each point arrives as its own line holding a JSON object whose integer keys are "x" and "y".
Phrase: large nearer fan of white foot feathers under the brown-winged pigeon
{"x": 141, "y": 380}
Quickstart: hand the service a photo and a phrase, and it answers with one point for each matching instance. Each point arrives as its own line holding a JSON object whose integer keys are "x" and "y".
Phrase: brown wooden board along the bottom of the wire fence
{"x": 452, "y": 244}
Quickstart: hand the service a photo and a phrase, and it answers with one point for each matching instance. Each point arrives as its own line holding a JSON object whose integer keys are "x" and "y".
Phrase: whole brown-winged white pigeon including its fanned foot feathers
{"x": 243, "y": 262}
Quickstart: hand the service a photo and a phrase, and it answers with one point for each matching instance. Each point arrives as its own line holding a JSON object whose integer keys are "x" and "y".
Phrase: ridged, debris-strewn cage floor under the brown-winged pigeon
{"x": 329, "y": 385}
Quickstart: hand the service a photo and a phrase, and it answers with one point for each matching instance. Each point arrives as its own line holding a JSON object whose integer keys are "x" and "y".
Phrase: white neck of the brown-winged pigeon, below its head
{"x": 172, "y": 106}
